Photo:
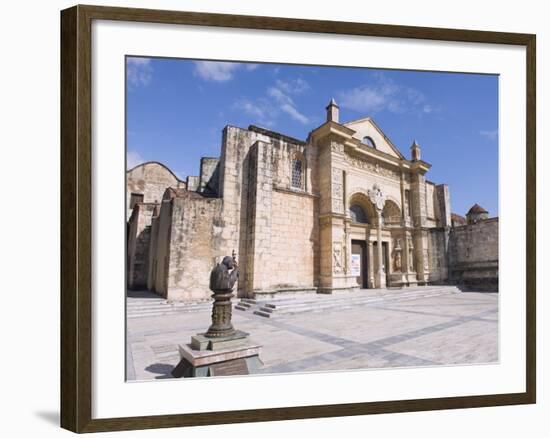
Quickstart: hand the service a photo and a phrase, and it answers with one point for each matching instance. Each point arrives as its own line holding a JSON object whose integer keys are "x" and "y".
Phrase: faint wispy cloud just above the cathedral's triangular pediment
{"x": 383, "y": 94}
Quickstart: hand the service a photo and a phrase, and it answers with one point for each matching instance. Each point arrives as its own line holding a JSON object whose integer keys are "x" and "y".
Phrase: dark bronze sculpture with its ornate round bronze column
{"x": 222, "y": 279}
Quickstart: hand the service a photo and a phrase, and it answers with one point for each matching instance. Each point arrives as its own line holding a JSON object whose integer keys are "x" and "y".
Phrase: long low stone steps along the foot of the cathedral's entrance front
{"x": 321, "y": 302}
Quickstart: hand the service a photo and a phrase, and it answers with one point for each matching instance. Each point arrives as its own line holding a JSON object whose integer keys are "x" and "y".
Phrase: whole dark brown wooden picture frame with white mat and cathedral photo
{"x": 268, "y": 218}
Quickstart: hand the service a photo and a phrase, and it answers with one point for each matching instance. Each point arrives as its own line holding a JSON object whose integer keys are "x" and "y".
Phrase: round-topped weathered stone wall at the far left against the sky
{"x": 150, "y": 179}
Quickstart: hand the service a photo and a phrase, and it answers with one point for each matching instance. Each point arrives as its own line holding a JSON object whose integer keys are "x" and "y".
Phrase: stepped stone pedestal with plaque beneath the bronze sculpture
{"x": 225, "y": 356}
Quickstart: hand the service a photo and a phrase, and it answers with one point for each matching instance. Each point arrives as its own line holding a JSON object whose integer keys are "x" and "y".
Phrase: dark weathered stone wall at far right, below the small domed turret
{"x": 473, "y": 255}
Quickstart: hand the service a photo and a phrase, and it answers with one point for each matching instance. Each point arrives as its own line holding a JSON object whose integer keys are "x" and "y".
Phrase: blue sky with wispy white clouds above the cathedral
{"x": 177, "y": 109}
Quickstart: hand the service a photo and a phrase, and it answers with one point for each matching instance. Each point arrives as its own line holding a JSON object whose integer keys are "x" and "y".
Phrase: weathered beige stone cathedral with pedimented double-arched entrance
{"x": 342, "y": 210}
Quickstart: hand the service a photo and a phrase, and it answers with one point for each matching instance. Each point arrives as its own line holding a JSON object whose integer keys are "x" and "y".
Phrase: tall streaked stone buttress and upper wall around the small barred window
{"x": 252, "y": 163}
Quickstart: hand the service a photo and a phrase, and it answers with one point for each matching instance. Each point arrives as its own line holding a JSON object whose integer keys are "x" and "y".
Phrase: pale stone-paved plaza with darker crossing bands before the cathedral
{"x": 392, "y": 330}
